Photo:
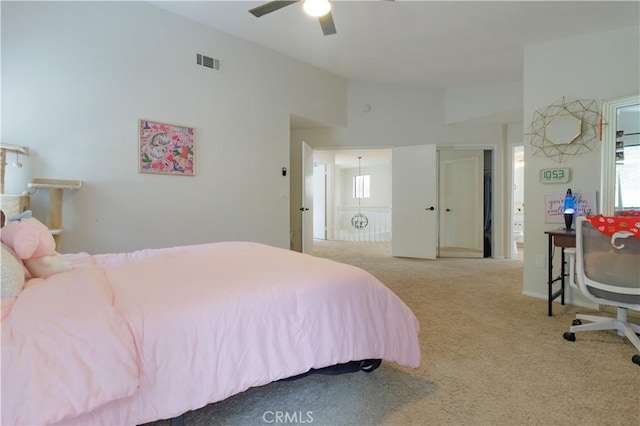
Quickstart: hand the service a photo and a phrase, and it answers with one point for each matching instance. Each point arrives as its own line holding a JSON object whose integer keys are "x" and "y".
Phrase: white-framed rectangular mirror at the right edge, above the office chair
{"x": 620, "y": 186}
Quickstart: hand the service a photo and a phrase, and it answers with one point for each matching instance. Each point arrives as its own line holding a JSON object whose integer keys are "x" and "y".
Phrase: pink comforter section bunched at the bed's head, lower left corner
{"x": 65, "y": 349}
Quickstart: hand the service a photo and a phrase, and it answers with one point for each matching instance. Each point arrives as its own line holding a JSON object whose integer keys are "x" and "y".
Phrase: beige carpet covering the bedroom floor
{"x": 490, "y": 356}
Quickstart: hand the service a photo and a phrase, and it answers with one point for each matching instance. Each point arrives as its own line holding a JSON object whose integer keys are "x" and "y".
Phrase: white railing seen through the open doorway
{"x": 378, "y": 224}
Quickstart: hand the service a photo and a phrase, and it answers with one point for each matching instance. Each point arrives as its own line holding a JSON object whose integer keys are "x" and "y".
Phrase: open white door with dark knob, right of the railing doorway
{"x": 414, "y": 202}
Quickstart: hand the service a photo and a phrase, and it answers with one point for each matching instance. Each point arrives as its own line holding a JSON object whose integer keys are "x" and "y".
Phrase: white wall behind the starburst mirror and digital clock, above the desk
{"x": 600, "y": 66}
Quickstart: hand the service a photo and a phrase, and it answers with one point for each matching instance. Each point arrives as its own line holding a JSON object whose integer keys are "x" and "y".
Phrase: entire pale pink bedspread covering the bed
{"x": 203, "y": 323}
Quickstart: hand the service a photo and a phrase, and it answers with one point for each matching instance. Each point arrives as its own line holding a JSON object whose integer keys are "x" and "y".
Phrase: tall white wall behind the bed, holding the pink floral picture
{"x": 77, "y": 76}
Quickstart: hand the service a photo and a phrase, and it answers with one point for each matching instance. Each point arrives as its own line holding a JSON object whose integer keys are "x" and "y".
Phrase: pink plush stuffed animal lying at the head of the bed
{"x": 32, "y": 242}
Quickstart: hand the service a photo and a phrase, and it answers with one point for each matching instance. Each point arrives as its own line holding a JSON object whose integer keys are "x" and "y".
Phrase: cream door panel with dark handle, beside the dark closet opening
{"x": 461, "y": 203}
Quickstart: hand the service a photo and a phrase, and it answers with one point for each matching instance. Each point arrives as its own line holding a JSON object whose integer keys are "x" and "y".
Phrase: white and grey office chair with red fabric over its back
{"x": 606, "y": 267}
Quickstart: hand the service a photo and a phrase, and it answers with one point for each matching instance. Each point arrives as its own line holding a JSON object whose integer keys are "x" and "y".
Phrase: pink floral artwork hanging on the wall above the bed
{"x": 166, "y": 149}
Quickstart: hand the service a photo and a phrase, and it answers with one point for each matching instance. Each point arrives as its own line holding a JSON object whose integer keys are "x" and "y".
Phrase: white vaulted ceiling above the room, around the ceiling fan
{"x": 435, "y": 44}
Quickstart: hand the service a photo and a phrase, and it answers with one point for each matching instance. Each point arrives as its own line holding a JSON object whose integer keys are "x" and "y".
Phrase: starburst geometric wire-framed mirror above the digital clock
{"x": 565, "y": 128}
